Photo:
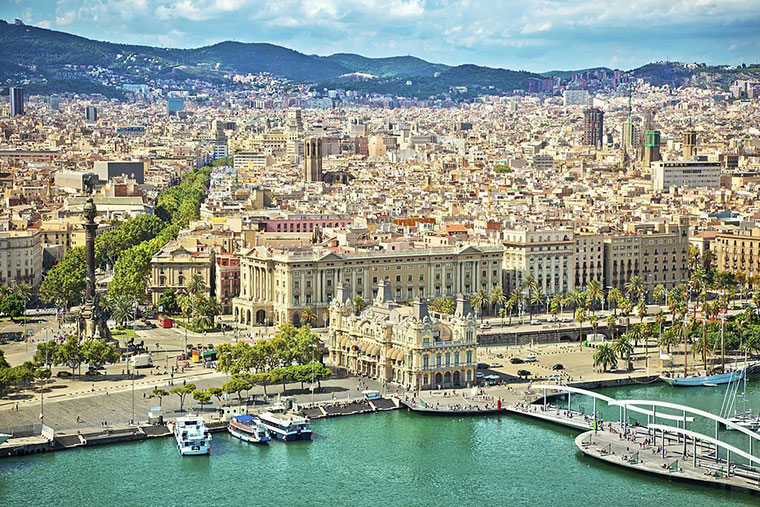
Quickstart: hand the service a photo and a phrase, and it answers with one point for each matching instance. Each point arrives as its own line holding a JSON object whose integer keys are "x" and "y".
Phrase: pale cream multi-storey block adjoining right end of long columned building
{"x": 546, "y": 255}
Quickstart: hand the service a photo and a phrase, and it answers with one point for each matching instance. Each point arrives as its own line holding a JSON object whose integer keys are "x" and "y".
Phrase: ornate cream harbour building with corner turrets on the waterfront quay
{"x": 405, "y": 345}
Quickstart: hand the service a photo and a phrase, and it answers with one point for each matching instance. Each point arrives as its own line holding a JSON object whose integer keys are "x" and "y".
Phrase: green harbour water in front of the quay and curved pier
{"x": 383, "y": 459}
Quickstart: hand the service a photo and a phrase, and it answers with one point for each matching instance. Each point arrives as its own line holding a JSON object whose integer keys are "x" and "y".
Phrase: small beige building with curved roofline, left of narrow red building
{"x": 174, "y": 266}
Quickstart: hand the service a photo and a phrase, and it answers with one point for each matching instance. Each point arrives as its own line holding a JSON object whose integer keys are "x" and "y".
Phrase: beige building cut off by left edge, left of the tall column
{"x": 20, "y": 258}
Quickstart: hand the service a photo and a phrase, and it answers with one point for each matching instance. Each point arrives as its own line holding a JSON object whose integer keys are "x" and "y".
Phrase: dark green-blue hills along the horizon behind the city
{"x": 49, "y": 61}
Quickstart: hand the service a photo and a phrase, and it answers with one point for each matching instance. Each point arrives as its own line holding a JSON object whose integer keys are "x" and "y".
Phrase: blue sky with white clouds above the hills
{"x": 535, "y": 35}
